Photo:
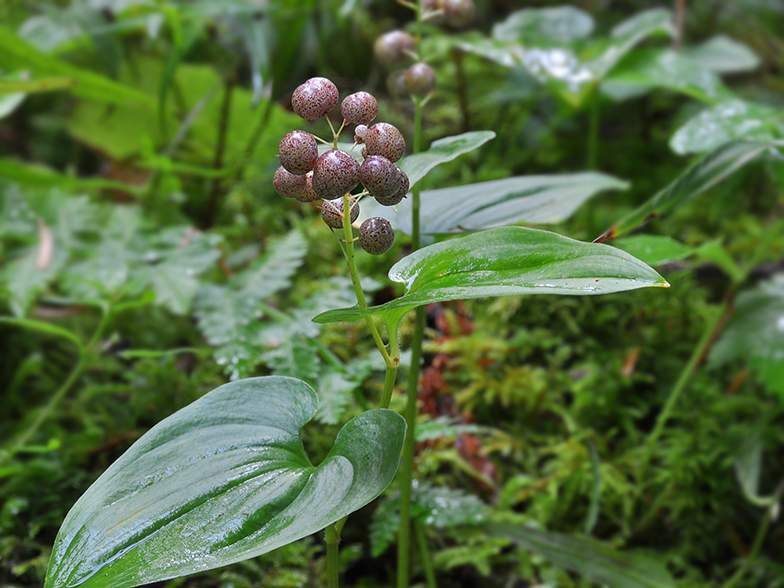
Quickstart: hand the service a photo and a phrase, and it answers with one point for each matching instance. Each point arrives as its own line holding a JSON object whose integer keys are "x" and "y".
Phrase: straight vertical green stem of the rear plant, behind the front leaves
{"x": 407, "y": 465}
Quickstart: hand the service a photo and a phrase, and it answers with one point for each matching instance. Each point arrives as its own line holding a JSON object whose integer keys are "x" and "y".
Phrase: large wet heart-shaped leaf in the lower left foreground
{"x": 220, "y": 481}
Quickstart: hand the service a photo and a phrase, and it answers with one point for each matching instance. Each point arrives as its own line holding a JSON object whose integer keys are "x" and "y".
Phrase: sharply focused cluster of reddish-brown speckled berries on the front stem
{"x": 308, "y": 177}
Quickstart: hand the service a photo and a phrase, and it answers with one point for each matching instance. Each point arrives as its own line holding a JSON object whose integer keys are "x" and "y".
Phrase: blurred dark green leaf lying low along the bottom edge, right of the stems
{"x": 591, "y": 559}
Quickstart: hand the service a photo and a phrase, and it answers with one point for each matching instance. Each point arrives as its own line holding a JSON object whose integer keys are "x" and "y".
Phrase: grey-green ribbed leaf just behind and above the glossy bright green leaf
{"x": 486, "y": 205}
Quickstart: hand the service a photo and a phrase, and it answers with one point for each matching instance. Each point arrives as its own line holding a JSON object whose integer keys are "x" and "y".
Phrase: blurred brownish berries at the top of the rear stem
{"x": 398, "y": 47}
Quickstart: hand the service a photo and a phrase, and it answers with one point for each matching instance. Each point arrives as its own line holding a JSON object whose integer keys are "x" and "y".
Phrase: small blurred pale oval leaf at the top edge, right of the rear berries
{"x": 561, "y": 24}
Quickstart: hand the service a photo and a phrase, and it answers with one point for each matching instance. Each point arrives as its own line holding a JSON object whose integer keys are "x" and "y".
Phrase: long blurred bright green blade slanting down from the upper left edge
{"x": 16, "y": 54}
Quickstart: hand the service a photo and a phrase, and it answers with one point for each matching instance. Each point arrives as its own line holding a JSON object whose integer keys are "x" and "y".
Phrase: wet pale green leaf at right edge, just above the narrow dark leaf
{"x": 726, "y": 122}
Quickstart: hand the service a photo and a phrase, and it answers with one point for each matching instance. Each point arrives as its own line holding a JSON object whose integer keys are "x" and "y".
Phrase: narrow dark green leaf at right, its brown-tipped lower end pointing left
{"x": 701, "y": 176}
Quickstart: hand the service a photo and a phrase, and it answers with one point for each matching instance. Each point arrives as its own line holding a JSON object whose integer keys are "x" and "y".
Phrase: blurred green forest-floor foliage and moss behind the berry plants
{"x": 146, "y": 259}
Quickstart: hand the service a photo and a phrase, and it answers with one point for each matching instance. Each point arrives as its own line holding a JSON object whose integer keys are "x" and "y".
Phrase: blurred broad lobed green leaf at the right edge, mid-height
{"x": 755, "y": 334}
